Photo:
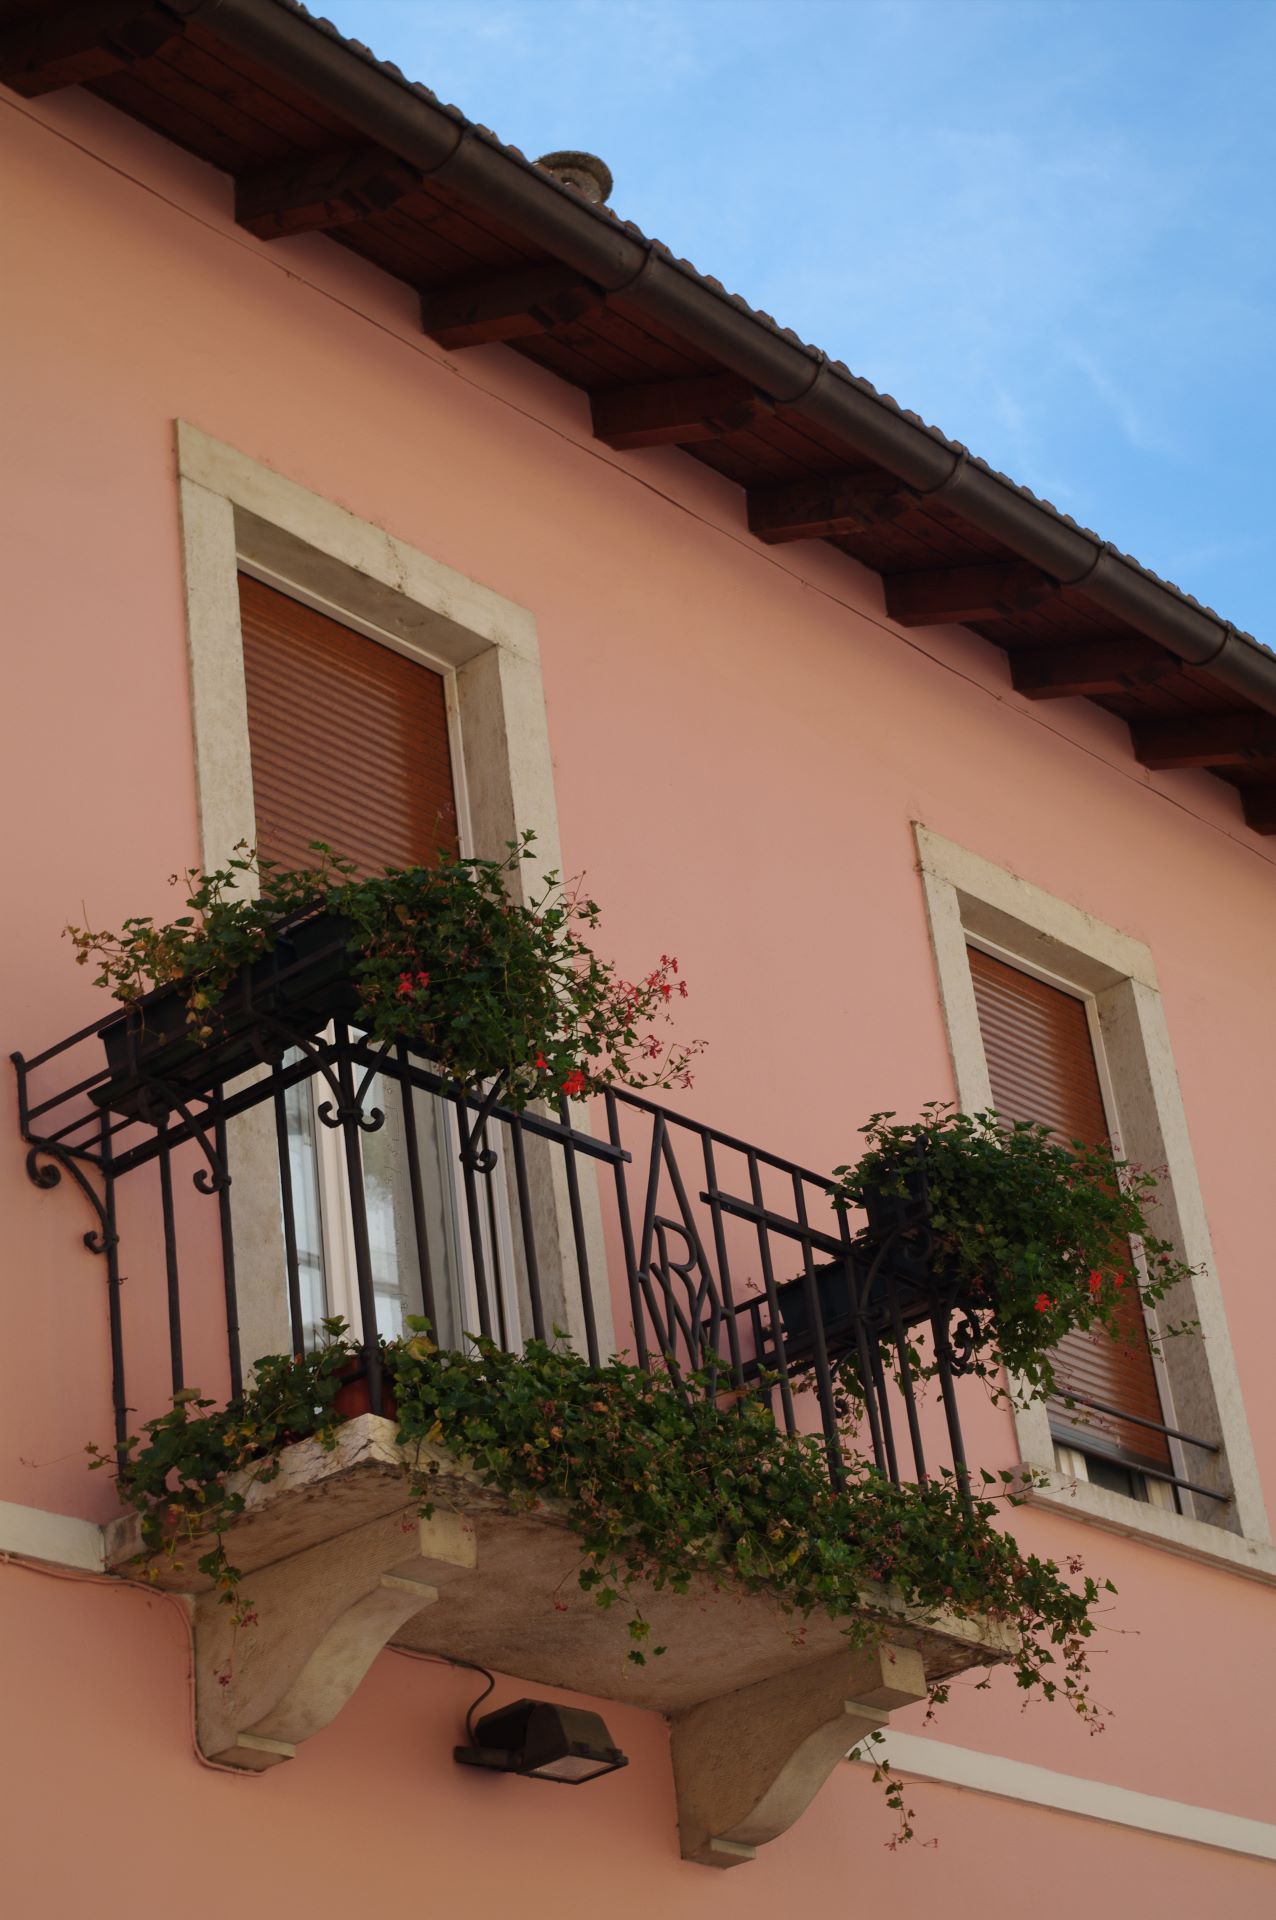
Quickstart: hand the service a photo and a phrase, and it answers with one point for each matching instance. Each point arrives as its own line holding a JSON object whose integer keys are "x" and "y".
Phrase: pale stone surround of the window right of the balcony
{"x": 974, "y": 901}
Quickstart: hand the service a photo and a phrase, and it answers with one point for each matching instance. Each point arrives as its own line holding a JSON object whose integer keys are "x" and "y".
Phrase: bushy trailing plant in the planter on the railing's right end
{"x": 1035, "y": 1239}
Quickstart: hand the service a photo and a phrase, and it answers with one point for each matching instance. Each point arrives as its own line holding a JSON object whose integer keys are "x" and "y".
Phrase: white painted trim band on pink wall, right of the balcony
{"x": 1091, "y": 1800}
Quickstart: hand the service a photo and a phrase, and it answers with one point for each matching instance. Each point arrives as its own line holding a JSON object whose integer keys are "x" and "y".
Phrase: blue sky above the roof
{"x": 1045, "y": 226}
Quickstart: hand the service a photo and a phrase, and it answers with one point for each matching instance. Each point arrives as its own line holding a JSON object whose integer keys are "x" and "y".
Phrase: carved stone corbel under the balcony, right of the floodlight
{"x": 745, "y": 1765}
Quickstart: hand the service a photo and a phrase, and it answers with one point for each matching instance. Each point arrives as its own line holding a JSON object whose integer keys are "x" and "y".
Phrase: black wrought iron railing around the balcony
{"x": 296, "y": 1168}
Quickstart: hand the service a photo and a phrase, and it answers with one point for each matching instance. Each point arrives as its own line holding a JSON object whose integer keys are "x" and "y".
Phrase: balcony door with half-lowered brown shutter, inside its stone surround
{"x": 350, "y": 746}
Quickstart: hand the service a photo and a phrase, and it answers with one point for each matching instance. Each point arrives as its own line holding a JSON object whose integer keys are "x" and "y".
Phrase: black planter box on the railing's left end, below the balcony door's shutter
{"x": 298, "y": 988}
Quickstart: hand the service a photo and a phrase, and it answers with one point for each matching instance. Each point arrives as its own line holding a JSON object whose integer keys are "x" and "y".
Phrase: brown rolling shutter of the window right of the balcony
{"x": 1041, "y": 1065}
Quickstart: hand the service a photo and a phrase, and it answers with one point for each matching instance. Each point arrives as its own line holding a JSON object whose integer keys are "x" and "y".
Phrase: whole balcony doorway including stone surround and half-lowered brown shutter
{"x": 270, "y": 569}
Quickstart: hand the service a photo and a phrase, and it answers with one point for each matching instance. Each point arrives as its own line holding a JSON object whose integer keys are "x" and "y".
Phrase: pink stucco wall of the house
{"x": 742, "y": 742}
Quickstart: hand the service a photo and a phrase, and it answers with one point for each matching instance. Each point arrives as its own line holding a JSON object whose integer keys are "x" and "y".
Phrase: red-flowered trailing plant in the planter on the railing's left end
{"x": 442, "y": 957}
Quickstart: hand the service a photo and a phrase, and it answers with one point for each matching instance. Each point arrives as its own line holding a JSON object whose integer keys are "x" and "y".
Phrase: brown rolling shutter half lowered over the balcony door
{"x": 348, "y": 740}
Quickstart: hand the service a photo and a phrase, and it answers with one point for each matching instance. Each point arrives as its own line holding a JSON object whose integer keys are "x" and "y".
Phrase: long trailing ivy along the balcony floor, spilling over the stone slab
{"x": 659, "y": 1483}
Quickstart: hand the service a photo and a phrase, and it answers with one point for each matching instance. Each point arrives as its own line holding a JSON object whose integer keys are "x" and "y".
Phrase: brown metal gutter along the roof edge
{"x": 617, "y": 258}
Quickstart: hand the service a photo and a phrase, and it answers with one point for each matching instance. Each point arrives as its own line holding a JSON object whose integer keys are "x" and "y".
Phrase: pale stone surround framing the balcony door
{"x": 239, "y": 516}
